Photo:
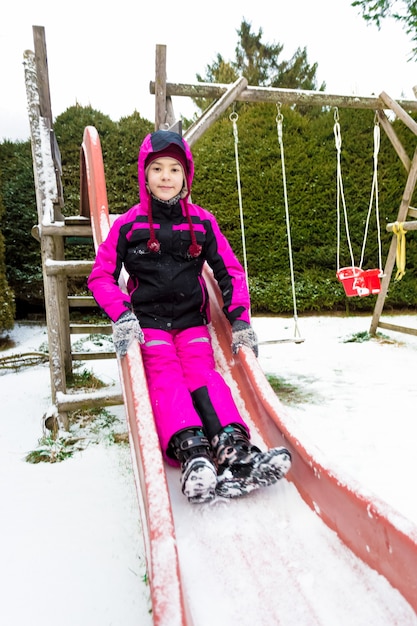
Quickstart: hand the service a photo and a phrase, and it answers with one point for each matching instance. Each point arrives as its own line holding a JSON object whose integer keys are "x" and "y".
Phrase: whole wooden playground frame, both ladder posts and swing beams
{"x": 52, "y": 228}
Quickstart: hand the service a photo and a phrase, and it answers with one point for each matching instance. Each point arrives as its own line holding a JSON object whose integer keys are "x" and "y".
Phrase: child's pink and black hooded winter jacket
{"x": 163, "y": 248}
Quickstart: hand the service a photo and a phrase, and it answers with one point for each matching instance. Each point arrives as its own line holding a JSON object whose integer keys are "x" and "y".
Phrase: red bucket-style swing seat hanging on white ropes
{"x": 355, "y": 280}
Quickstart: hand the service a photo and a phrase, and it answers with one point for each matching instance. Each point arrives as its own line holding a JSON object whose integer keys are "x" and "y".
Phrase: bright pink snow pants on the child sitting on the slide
{"x": 177, "y": 363}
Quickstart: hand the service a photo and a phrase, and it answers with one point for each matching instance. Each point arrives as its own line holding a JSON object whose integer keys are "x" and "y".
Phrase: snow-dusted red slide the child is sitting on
{"x": 378, "y": 538}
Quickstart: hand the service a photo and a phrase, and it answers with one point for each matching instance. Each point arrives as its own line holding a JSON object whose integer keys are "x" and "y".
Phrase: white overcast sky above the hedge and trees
{"x": 103, "y": 54}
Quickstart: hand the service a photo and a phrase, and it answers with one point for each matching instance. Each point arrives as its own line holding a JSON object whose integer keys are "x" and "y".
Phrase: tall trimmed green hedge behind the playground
{"x": 310, "y": 167}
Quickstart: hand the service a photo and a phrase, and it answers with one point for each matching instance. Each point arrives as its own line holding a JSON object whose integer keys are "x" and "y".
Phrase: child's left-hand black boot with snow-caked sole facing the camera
{"x": 198, "y": 472}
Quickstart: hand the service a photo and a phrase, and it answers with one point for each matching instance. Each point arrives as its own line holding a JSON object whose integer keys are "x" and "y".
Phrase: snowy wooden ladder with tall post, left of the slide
{"x": 52, "y": 231}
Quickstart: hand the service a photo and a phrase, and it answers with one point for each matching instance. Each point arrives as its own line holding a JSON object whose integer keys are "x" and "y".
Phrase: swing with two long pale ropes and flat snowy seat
{"x": 279, "y": 120}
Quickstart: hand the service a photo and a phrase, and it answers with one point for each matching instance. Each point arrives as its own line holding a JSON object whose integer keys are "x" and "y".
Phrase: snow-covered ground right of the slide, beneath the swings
{"x": 360, "y": 397}
